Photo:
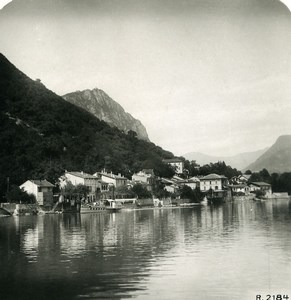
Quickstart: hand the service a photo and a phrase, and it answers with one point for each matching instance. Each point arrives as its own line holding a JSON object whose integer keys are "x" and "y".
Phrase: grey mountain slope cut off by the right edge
{"x": 277, "y": 159}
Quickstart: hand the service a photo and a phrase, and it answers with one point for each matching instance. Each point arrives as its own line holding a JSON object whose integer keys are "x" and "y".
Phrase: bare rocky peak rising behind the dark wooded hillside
{"x": 104, "y": 108}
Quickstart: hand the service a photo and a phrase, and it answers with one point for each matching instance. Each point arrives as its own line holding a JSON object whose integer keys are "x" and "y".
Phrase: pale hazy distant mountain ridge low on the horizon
{"x": 239, "y": 161}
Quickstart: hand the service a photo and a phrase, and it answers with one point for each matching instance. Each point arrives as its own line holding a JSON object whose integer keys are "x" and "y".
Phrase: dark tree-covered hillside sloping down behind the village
{"x": 41, "y": 135}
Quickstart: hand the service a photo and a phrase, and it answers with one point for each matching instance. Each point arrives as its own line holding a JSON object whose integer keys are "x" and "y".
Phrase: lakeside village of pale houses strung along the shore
{"x": 83, "y": 192}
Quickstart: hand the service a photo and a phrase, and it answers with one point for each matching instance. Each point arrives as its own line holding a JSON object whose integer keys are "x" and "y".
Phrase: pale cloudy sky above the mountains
{"x": 204, "y": 76}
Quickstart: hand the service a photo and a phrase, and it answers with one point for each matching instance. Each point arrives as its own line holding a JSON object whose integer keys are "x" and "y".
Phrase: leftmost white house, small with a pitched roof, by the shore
{"x": 41, "y": 189}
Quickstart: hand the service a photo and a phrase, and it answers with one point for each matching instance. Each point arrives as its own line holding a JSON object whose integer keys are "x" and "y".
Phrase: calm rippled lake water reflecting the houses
{"x": 233, "y": 251}
